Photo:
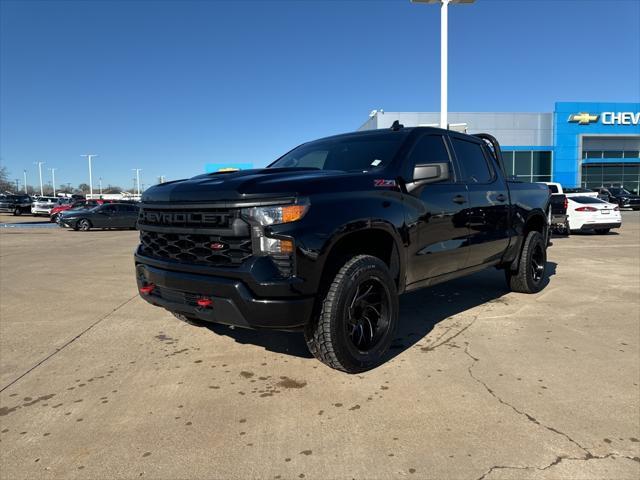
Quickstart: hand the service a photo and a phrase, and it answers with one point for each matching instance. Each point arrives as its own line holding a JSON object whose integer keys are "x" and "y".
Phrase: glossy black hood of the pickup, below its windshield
{"x": 255, "y": 184}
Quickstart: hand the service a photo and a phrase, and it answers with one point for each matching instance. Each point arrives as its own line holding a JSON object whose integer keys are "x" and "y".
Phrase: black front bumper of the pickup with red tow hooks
{"x": 233, "y": 303}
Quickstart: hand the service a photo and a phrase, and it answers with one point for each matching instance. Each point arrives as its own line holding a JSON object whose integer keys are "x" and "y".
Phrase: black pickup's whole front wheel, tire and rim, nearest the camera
{"x": 358, "y": 317}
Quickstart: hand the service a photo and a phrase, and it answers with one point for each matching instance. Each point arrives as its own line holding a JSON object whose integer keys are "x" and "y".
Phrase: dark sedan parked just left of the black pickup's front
{"x": 111, "y": 215}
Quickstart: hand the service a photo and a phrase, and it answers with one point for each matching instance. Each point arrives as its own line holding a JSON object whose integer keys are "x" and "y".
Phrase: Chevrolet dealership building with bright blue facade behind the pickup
{"x": 585, "y": 144}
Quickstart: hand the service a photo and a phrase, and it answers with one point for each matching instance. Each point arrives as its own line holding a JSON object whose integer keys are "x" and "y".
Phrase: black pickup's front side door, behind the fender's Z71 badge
{"x": 439, "y": 215}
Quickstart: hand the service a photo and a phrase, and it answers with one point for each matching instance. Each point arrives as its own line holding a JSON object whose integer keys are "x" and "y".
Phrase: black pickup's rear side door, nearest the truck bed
{"x": 488, "y": 213}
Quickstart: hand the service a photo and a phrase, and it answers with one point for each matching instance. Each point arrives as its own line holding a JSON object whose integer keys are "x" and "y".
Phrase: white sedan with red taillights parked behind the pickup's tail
{"x": 592, "y": 214}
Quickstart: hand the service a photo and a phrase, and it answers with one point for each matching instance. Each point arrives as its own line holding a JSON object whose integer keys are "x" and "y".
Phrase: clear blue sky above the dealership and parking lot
{"x": 169, "y": 86}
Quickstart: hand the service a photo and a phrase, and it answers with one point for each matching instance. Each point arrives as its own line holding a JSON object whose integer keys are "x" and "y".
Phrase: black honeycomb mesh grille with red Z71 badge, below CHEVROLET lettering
{"x": 212, "y": 250}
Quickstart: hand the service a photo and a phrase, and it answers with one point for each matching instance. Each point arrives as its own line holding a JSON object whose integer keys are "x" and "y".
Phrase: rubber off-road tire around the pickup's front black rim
{"x": 326, "y": 334}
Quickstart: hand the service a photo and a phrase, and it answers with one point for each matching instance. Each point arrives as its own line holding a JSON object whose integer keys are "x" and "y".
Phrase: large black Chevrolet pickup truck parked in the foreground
{"x": 325, "y": 238}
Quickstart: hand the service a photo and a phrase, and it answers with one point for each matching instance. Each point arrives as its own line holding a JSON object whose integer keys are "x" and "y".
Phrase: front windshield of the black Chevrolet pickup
{"x": 350, "y": 153}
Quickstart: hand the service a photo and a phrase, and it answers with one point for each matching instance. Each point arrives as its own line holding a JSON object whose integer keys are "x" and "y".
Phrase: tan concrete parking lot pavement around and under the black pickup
{"x": 482, "y": 383}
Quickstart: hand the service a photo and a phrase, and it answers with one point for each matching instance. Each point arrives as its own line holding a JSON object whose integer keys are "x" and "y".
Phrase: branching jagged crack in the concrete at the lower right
{"x": 587, "y": 454}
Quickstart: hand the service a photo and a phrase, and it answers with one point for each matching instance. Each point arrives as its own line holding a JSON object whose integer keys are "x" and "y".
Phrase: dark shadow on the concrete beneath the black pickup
{"x": 420, "y": 312}
